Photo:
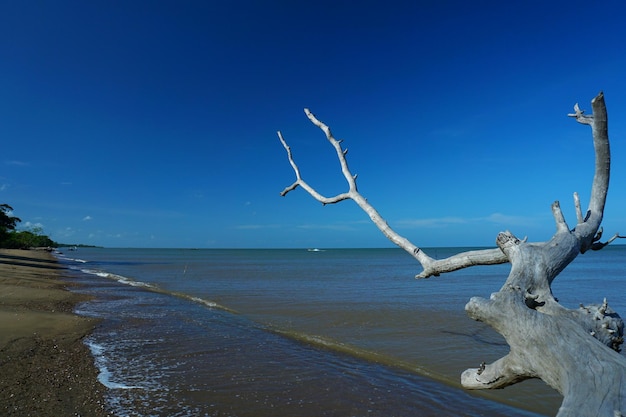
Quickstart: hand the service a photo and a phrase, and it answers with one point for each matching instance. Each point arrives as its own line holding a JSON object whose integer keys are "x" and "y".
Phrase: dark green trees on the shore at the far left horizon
{"x": 11, "y": 238}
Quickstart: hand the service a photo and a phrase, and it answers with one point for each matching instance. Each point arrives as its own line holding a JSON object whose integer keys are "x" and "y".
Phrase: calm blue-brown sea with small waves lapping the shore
{"x": 306, "y": 333}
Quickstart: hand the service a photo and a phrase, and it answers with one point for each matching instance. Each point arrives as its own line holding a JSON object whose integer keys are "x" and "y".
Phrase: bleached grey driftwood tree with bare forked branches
{"x": 573, "y": 351}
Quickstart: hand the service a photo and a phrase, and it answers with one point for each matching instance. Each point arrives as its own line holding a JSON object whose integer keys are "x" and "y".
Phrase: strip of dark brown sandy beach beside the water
{"x": 45, "y": 369}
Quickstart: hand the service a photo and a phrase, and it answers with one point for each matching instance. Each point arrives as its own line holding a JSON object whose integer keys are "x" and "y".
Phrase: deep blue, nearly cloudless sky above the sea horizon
{"x": 153, "y": 124}
